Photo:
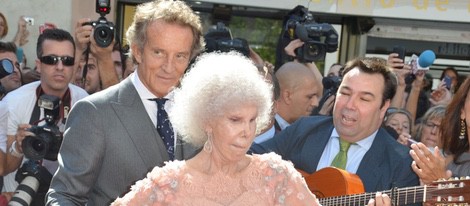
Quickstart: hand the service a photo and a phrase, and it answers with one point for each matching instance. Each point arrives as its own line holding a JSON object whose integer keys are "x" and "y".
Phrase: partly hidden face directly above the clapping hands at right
{"x": 431, "y": 133}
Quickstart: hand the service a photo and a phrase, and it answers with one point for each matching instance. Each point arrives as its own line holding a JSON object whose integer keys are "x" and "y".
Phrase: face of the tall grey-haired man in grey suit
{"x": 164, "y": 57}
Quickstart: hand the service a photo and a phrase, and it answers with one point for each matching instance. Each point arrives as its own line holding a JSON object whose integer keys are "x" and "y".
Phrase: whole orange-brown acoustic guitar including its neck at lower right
{"x": 334, "y": 186}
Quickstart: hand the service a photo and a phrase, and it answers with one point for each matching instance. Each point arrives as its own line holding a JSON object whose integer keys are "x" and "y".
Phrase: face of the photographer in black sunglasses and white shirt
{"x": 55, "y": 78}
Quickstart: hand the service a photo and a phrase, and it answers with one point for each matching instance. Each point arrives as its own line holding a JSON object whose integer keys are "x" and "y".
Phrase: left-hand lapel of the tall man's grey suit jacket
{"x": 130, "y": 110}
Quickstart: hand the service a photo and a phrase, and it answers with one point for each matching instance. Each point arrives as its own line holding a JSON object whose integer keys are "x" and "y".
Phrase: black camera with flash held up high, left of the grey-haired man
{"x": 104, "y": 30}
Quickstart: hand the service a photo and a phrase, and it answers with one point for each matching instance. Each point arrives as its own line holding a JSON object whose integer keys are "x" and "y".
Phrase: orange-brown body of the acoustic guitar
{"x": 331, "y": 181}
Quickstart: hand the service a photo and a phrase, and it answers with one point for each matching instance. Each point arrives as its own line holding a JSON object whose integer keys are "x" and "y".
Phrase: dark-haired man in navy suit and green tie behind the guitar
{"x": 363, "y": 97}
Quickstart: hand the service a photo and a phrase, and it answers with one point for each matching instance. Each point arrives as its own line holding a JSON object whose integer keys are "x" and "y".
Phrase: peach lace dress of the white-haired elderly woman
{"x": 268, "y": 180}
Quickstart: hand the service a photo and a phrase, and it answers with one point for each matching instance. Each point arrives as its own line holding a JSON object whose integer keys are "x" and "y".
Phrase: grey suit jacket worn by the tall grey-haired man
{"x": 109, "y": 143}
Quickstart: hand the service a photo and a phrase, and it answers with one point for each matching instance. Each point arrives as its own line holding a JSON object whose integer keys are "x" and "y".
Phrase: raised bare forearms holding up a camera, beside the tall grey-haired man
{"x": 84, "y": 33}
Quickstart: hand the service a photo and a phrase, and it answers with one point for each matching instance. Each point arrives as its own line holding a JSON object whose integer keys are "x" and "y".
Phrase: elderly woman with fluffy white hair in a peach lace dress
{"x": 222, "y": 104}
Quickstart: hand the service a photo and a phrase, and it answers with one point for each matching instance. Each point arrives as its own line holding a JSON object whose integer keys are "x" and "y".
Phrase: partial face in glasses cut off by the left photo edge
{"x": 12, "y": 81}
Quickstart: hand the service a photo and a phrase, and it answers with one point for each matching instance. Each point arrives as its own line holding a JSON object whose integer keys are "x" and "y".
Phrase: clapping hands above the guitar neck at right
{"x": 428, "y": 166}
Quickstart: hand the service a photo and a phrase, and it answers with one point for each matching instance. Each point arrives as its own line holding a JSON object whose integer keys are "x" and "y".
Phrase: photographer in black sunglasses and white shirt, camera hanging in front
{"x": 55, "y": 60}
